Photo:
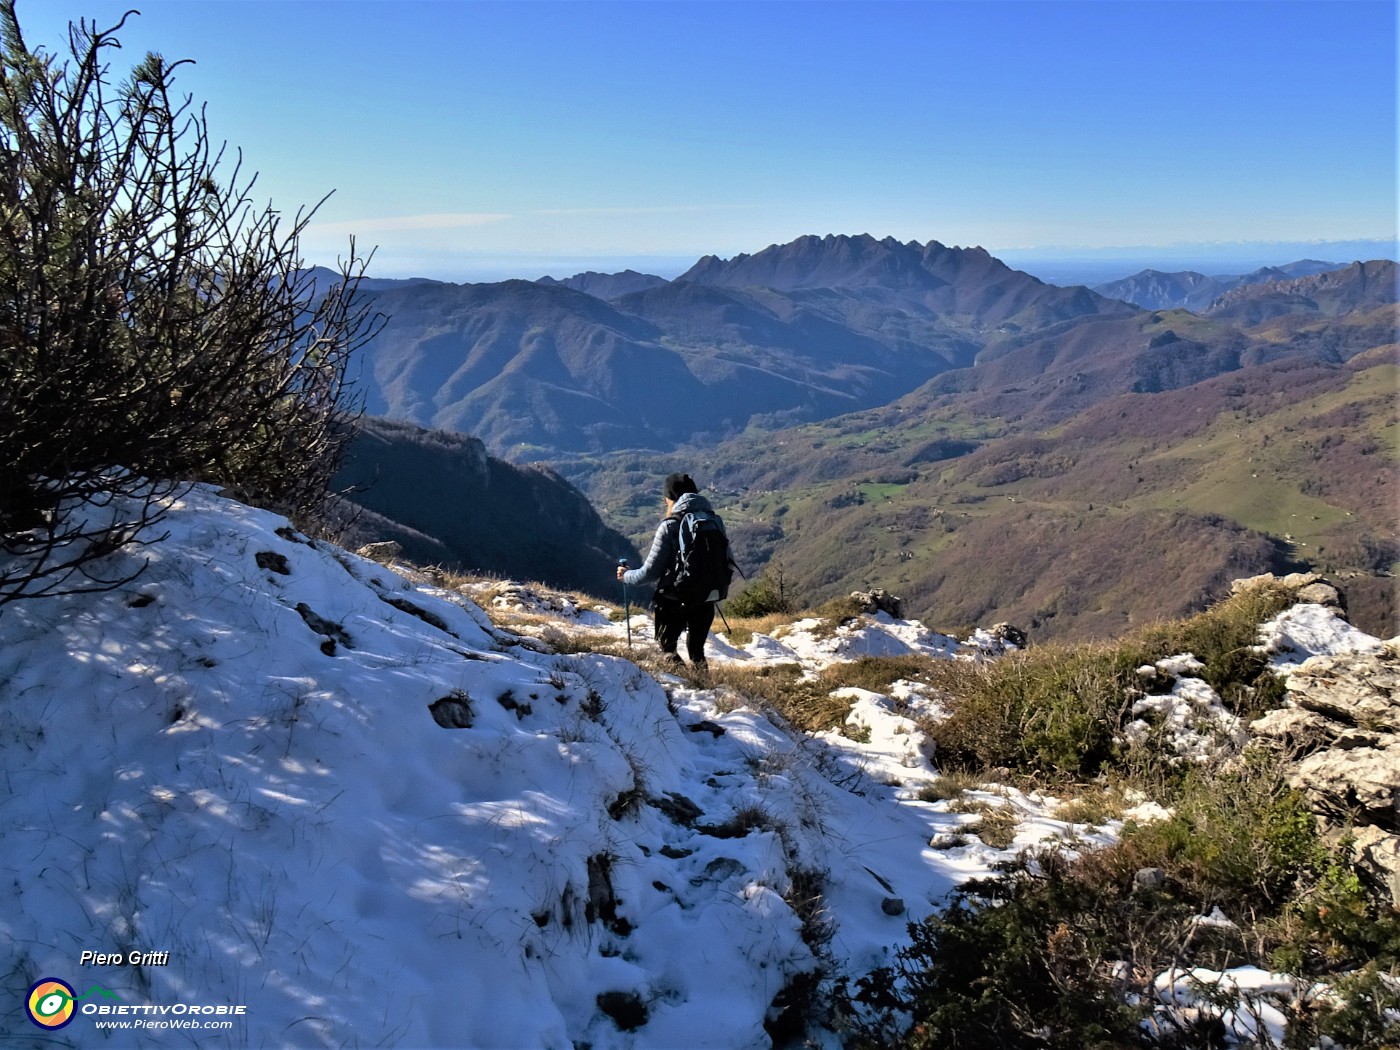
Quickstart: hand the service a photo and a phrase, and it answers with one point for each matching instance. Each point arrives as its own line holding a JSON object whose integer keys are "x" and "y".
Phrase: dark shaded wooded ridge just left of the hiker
{"x": 450, "y": 503}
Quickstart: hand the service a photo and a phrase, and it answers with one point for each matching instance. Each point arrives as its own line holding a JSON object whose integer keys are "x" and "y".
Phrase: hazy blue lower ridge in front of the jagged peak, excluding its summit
{"x": 537, "y": 370}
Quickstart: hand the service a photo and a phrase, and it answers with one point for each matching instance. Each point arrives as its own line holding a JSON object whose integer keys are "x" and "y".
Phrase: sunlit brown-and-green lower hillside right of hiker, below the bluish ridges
{"x": 1135, "y": 507}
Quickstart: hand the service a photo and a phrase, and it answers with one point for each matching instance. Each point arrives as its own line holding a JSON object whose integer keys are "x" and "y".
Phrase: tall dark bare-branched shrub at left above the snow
{"x": 155, "y": 323}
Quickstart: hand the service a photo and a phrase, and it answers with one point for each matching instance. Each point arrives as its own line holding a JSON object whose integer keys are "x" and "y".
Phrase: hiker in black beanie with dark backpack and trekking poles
{"x": 692, "y": 576}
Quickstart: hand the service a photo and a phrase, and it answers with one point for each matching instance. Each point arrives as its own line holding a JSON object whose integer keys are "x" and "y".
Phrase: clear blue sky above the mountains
{"x": 478, "y": 141}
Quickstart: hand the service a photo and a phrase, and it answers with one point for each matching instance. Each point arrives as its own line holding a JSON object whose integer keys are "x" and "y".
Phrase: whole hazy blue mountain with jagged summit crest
{"x": 804, "y": 331}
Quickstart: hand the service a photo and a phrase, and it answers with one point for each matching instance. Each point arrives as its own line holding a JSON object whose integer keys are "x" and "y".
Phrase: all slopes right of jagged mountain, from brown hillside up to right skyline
{"x": 1242, "y": 440}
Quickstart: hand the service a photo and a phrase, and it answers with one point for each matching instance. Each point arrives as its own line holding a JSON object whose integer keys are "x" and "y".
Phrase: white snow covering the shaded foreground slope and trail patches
{"x": 243, "y": 759}
